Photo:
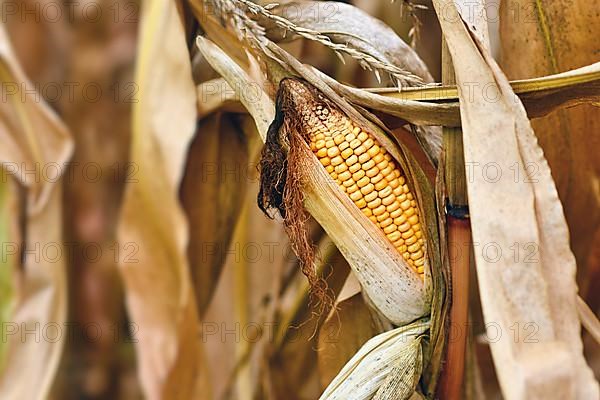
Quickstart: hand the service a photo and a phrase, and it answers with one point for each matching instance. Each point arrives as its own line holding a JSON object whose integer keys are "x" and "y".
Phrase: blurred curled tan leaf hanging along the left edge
{"x": 32, "y": 138}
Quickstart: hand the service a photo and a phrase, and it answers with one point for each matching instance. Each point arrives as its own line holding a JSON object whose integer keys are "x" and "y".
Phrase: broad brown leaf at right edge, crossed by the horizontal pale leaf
{"x": 560, "y": 35}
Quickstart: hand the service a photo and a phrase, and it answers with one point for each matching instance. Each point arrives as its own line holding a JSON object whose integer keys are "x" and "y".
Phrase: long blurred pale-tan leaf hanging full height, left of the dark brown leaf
{"x": 160, "y": 296}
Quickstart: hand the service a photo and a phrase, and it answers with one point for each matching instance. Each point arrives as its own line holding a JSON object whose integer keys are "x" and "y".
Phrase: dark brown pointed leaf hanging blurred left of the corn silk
{"x": 212, "y": 194}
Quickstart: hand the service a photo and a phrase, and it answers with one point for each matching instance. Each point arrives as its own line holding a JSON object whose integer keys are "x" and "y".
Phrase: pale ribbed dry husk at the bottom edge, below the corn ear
{"x": 388, "y": 366}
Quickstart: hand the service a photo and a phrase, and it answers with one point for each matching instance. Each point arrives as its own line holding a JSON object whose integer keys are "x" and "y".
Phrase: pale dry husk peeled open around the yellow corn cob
{"x": 396, "y": 290}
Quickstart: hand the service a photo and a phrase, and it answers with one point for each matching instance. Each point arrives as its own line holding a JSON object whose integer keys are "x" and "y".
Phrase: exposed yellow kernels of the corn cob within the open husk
{"x": 365, "y": 171}
